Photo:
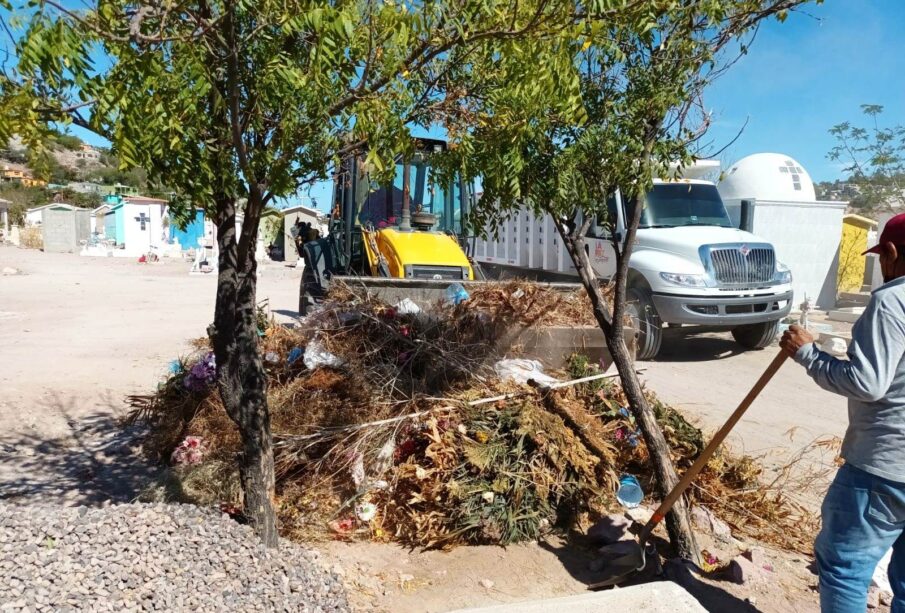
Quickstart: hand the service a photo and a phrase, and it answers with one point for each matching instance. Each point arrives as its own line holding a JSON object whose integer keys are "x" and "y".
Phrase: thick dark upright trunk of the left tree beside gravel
{"x": 241, "y": 379}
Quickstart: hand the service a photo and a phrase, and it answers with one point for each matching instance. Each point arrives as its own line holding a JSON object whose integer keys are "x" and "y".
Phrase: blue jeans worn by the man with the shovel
{"x": 863, "y": 516}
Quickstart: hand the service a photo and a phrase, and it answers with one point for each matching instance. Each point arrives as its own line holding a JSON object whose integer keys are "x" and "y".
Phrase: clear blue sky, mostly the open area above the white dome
{"x": 799, "y": 79}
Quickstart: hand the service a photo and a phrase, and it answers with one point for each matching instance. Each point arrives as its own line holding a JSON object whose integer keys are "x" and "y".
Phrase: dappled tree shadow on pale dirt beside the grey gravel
{"x": 97, "y": 462}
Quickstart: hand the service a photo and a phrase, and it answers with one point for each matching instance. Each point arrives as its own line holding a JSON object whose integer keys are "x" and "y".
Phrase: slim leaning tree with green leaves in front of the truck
{"x": 625, "y": 108}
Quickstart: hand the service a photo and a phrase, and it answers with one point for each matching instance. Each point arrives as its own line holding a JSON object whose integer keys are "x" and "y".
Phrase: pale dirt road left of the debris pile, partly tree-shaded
{"x": 77, "y": 335}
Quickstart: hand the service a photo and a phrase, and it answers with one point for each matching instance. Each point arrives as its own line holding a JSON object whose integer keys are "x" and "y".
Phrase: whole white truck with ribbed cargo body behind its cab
{"x": 689, "y": 266}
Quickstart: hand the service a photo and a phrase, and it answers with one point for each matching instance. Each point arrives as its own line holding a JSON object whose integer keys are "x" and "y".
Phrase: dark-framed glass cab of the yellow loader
{"x": 362, "y": 201}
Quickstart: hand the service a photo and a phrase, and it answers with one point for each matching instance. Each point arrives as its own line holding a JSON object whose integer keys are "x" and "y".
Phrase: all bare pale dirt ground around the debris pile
{"x": 79, "y": 334}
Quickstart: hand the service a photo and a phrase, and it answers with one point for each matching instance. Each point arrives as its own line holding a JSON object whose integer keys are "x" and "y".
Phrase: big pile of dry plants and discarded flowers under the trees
{"x": 390, "y": 423}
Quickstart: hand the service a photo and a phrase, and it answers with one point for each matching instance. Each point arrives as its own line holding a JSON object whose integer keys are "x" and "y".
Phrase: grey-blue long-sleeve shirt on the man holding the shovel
{"x": 873, "y": 380}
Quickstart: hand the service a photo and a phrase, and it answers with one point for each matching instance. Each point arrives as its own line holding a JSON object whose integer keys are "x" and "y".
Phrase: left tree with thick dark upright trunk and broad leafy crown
{"x": 232, "y": 102}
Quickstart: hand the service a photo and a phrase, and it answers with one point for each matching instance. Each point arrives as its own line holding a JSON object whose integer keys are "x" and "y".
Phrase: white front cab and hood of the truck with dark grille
{"x": 690, "y": 266}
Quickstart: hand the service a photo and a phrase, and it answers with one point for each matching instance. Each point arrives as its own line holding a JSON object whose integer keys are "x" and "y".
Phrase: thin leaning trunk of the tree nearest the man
{"x": 677, "y": 521}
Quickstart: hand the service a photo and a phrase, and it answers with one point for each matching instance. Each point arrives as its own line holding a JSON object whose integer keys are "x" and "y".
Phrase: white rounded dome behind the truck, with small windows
{"x": 767, "y": 177}
